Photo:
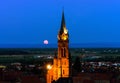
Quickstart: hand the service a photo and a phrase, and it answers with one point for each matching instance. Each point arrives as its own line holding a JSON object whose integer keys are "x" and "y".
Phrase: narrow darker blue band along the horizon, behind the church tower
{"x": 72, "y": 45}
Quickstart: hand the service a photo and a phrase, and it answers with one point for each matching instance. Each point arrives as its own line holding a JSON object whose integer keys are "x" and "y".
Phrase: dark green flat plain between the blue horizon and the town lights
{"x": 39, "y": 55}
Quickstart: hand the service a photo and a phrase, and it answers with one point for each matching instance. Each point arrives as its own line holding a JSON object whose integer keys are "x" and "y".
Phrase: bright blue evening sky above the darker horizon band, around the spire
{"x": 32, "y": 21}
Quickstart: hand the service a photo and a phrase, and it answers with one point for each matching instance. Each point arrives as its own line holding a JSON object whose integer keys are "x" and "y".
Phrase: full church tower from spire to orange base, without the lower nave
{"x": 63, "y": 50}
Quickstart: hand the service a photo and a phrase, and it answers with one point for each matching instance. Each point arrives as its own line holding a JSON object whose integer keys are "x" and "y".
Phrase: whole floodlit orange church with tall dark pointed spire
{"x": 61, "y": 68}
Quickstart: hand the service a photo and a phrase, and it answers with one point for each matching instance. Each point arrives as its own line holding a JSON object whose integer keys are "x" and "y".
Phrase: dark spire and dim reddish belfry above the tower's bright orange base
{"x": 63, "y": 40}
